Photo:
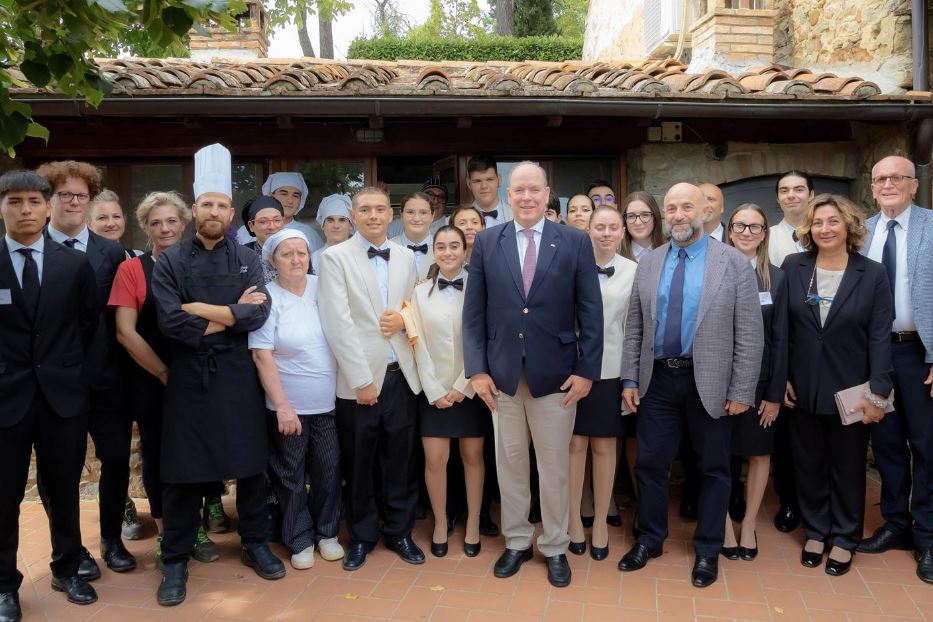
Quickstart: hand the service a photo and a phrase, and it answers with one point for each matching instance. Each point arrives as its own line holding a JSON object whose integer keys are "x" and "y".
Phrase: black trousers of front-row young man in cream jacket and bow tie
{"x": 386, "y": 434}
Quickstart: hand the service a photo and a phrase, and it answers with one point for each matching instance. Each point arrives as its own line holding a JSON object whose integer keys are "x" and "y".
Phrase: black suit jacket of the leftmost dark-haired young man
{"x": 47, "y": 351}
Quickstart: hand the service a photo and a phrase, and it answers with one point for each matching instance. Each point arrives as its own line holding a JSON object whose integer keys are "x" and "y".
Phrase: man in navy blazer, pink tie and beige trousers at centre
{"x": 532, "y": 347}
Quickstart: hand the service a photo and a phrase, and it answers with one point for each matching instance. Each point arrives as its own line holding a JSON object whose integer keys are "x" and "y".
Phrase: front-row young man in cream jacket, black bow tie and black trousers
{"x": 363, "y": 283}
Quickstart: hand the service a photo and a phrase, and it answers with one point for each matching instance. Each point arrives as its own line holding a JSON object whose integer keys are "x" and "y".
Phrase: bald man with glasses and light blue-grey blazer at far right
{"x": 901, "y": 238}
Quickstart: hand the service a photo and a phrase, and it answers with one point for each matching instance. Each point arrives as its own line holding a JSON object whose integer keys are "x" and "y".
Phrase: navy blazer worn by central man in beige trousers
{"x": 500, "y": 325}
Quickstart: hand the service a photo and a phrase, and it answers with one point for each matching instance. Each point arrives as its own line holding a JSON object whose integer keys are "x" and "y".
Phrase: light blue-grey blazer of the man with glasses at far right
{"x": 919, "y": 270}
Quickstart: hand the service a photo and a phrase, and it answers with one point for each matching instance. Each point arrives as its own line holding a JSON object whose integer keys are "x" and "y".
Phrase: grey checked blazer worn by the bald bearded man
{"x": 729, "y": 337}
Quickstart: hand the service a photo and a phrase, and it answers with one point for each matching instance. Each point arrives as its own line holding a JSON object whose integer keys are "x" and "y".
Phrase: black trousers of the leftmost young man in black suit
{"x": 60, "y": 446}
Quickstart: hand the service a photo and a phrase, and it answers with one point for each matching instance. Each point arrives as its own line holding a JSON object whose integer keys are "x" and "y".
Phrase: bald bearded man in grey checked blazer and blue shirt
{"x": 691, "y": 356}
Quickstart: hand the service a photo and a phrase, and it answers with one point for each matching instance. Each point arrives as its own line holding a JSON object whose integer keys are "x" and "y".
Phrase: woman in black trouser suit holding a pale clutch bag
{"x": 840, "y": 311}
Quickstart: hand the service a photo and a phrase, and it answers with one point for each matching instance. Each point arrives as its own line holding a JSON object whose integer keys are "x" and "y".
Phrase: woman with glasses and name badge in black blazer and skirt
{"x": 752, "y": 432}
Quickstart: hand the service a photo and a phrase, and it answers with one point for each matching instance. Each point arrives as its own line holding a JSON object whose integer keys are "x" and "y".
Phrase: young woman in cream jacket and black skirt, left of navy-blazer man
{"x": 447, "y": 408}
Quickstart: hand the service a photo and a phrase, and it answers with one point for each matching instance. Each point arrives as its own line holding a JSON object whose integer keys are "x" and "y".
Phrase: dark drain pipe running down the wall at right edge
{"x": 922, "y": 143}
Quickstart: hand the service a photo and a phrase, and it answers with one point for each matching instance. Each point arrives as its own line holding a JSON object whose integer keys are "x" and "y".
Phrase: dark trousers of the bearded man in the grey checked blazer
{"x": 671, "y": 407}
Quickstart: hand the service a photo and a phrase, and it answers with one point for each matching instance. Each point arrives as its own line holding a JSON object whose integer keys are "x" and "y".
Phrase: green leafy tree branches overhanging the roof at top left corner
{"x": 53, "y": 43}
